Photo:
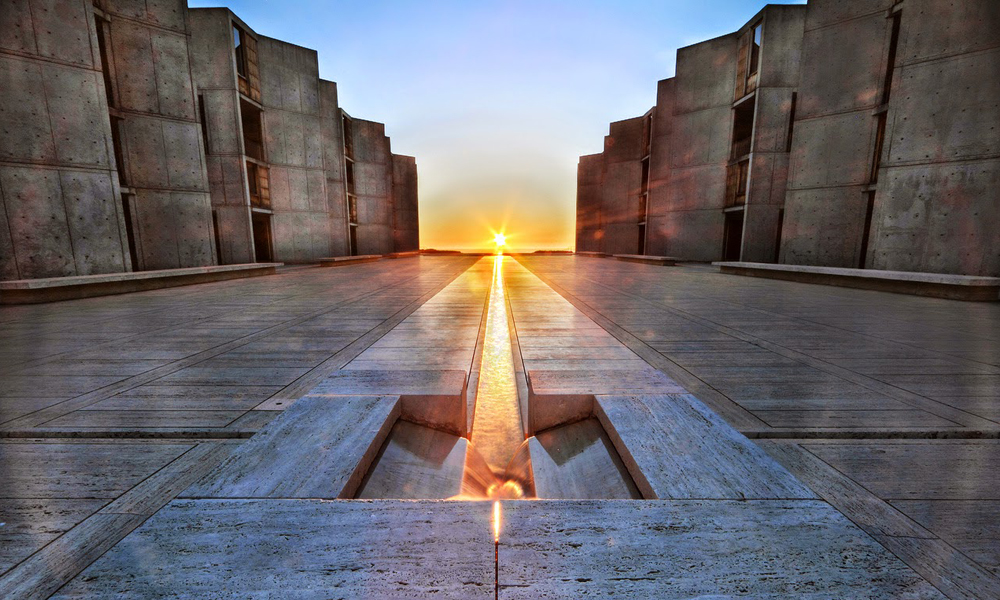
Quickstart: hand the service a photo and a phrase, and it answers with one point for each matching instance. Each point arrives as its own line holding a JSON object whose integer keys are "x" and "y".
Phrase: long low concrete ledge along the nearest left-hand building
{"x": 34, "y": 291}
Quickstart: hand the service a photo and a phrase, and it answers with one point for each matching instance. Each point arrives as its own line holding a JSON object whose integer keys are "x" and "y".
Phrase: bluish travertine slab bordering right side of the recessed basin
{"x": 677, "y": 448}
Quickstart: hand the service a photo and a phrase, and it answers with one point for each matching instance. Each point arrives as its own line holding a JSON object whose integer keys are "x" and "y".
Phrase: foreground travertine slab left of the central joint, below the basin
{"x": 300, "y": 549}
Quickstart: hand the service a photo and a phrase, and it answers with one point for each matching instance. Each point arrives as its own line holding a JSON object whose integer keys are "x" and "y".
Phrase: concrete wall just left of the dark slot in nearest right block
{"x": 843, "y": 54}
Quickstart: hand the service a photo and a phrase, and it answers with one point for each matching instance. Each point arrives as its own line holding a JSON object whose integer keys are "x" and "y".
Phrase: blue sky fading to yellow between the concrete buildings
{"x": 497, "y": 100}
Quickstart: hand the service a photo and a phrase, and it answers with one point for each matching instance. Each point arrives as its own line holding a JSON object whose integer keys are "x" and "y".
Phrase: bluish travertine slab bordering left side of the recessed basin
{"x": 320, "y": 447}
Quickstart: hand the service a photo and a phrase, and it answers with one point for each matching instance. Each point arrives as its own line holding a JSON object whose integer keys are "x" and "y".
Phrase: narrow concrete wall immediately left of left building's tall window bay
{"x": 214, "y": 70}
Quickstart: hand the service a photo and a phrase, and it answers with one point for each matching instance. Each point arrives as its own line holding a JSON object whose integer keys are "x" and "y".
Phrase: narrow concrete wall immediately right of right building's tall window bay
{"x": 780, "y": 63}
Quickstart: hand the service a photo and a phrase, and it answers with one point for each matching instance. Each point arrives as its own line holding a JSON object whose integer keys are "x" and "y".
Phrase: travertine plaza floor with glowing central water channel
{"x": 333, "y": 432}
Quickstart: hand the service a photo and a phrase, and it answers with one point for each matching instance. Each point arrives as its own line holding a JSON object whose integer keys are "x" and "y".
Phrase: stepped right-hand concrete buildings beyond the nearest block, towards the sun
{"x": 727, "y": 109}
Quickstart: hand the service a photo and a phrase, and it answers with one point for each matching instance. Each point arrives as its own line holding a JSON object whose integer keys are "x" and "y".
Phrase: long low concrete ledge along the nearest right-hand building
{"x": 937, "y": 285}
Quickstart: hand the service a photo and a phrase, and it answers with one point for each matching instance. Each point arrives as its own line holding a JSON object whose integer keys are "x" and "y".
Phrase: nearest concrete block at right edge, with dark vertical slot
{"x": 896, "y": 152}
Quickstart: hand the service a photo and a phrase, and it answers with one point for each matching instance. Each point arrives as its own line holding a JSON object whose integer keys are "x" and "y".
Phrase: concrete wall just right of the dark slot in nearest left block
{"x": 164, "y": 158}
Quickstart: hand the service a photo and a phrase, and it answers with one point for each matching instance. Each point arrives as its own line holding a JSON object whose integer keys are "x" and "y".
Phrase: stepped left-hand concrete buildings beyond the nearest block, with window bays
{"x": 294, "y": 178}
